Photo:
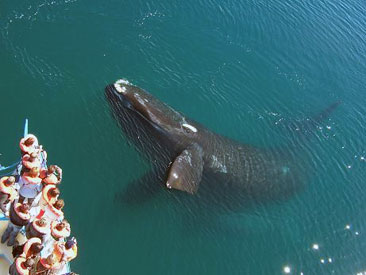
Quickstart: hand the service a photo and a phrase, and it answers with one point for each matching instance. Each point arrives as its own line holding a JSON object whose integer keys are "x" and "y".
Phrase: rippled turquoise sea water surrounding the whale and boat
{"x": 243, "y": 69}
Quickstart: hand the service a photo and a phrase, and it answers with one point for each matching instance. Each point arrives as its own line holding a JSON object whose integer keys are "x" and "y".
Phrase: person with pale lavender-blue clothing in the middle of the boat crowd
{"x": 30, "y": 185}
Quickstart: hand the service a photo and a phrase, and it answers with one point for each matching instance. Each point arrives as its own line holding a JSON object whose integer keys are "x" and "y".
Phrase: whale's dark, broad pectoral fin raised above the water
{"x": 186, "y": 171}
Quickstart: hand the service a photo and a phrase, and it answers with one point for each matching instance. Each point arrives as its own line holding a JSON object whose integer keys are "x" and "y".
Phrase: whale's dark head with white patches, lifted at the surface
{"x": 140, "y": 114}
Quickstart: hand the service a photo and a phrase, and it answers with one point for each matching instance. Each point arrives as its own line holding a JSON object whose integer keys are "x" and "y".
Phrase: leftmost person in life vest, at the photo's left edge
{"x": 8, "y": 193}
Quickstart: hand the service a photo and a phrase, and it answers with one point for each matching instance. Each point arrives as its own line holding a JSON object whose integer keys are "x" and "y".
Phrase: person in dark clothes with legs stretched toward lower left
{"x": 19, "y": 217}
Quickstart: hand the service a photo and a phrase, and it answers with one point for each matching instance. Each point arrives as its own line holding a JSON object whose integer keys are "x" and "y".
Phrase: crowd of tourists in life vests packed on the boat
{"x": 30, "y": 198}
